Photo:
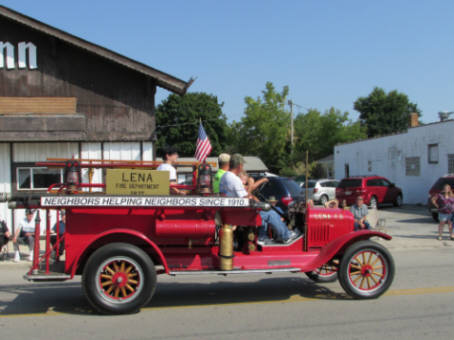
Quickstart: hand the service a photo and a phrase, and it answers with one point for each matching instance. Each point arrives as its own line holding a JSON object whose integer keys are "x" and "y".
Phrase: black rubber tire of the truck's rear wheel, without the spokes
{"x": 142, "y": 264}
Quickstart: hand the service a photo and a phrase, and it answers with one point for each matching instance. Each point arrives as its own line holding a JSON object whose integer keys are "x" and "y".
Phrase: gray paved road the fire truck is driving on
{"x": 420, "y": 304}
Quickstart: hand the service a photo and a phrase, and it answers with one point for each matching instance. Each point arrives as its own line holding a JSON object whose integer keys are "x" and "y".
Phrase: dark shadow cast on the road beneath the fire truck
{"x": 68, "y": 298}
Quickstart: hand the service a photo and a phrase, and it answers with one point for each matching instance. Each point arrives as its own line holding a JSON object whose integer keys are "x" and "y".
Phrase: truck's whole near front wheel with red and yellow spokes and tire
{"x": 366, "y": 270}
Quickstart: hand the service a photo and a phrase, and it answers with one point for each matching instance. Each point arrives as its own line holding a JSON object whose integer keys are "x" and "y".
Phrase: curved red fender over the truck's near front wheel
{"x": 341, "y": 243}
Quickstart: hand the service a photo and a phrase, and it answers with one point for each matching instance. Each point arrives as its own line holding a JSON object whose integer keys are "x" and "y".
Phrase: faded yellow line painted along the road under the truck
{"x": 293, "y": 298}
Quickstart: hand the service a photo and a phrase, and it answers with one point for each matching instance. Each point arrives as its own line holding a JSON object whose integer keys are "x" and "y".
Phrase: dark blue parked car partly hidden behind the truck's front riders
{"x": 284, "y": 189}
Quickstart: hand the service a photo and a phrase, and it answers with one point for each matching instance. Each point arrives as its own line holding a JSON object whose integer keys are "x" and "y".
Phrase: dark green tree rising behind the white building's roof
{"x": 384, "y": 113}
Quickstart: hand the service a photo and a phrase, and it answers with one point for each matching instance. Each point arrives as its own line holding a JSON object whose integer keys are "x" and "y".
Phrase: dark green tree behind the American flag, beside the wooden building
{"x": 177, "y": 119}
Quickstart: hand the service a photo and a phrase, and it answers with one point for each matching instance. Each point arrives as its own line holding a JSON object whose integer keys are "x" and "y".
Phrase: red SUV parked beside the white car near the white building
{"x": 374, "y": 189}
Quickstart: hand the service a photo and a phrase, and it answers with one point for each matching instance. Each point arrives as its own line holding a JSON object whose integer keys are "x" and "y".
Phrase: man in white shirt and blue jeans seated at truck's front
{"x": 232, "y": 186}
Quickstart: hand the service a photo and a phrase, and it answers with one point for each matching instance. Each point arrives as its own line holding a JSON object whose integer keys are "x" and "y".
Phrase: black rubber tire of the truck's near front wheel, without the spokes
{"x": 344, "y": 277}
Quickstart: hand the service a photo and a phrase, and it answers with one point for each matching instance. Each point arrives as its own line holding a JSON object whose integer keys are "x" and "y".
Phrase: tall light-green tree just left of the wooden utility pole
{"x": 264, "y": 129}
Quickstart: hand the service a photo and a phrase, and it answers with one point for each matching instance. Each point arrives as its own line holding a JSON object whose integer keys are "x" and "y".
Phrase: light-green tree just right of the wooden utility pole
{"x": 319, "y": 133}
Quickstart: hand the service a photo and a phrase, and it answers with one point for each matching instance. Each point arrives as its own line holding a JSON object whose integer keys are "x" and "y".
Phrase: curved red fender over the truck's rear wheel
{"x": 120, "y": 231}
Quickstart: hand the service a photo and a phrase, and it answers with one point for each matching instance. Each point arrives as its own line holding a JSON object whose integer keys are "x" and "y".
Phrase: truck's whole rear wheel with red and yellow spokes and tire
{"x": 119, "y": 278}
